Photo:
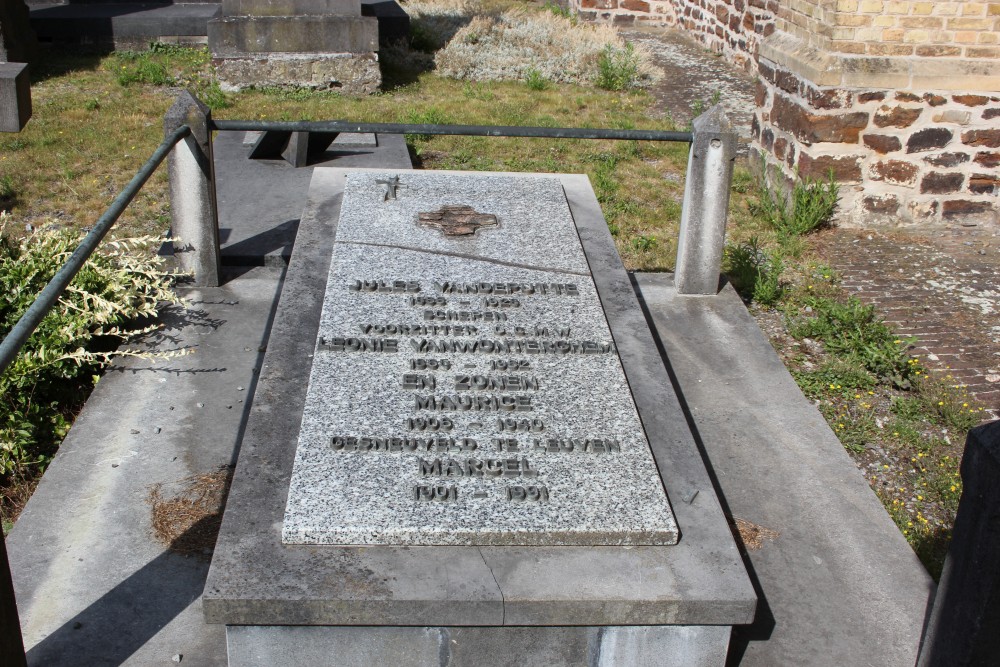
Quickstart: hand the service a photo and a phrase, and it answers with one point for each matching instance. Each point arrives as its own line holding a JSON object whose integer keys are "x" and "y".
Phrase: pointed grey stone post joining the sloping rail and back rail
{"x": 193, "y": 211}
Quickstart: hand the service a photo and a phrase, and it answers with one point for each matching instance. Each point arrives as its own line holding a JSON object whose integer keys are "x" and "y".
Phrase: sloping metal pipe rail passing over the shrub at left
{"x": 32, "y": 317}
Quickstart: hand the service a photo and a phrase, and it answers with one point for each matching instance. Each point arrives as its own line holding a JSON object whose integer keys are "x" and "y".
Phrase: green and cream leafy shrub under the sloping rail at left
{"x": 41, "y": 389}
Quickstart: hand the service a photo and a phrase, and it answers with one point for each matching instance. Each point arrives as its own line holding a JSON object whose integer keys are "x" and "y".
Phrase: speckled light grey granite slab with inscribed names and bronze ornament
{"x": 465, "y": 387}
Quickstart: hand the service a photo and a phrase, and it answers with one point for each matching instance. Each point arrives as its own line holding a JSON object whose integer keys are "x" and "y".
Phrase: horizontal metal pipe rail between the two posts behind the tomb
{"x": 453, "y": 130}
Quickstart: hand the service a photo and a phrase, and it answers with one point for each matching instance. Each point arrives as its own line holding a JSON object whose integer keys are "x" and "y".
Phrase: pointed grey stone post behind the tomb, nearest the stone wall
{"x": 706, "y": 201}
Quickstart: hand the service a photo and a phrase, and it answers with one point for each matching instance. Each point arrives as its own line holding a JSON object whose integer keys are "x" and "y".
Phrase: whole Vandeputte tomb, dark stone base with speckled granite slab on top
{"x": 464, "y": 446}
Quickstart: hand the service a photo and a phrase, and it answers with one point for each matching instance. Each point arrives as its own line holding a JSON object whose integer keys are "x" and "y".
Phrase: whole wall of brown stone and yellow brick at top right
{"x": 900, "y": 98}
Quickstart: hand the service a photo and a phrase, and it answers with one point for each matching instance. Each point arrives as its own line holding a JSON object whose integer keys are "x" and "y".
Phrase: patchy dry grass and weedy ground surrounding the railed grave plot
{"x": 97, "y": 118}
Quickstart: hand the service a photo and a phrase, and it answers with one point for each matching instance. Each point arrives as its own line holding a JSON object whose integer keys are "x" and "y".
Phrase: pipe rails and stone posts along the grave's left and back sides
{"x": 188, "y": 143}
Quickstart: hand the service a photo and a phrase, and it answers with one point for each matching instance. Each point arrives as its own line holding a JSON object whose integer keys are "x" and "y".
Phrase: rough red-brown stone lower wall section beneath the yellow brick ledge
{"x": 901, "y": 157}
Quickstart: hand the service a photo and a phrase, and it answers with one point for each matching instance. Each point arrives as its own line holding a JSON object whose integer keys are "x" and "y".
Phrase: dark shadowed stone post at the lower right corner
{"x": 964, "y": 625}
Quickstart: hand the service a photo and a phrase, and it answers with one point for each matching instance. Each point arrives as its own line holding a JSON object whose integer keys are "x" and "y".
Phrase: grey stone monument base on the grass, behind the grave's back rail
{"x": 318, "y": 44}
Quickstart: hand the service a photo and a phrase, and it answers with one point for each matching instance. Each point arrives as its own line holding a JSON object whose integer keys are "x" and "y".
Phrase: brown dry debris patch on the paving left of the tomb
{"x": 187, "y": 514}
